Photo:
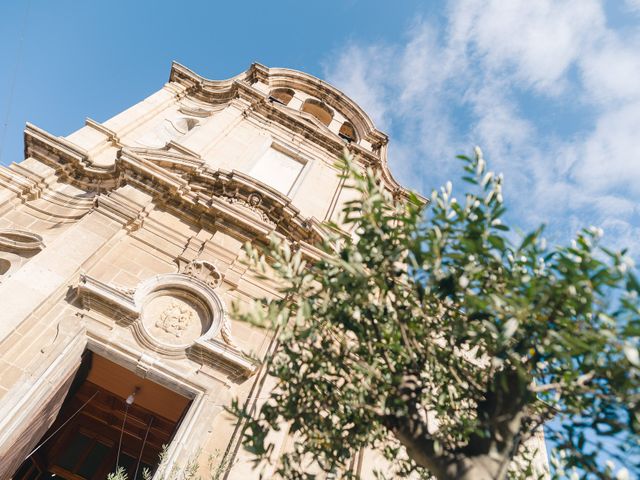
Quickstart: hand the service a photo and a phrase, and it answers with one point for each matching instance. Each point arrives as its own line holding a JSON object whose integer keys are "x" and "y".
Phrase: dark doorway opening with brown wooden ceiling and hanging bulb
{"x": 110, "y": 417}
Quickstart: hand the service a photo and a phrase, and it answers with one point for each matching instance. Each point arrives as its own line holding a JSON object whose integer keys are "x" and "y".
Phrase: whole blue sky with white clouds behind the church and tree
{"x": 549, "y": 89}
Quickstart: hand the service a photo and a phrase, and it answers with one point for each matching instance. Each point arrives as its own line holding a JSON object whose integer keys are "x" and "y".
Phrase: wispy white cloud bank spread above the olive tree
{"x": 475, "y": 79}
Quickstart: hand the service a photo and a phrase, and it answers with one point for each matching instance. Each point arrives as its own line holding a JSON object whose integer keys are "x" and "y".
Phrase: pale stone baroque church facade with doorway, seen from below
{"x": 121, "y": 253}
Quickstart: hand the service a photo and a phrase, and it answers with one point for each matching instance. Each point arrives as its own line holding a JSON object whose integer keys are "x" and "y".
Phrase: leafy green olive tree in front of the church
{"x": 432, "y": 332}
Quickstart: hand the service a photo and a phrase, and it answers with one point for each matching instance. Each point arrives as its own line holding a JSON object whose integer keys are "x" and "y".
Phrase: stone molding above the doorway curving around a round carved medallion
{"x": 213, "y": 345}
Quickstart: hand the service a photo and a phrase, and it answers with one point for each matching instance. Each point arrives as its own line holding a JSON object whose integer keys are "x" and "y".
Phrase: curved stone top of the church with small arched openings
{"x": 345, "y": 122}
